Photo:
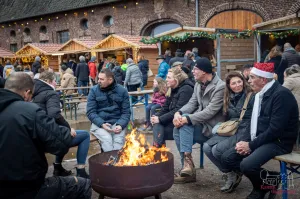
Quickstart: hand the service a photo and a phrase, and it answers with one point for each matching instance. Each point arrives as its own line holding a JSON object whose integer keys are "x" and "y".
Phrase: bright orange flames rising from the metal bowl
{"x": 138, "y": 152}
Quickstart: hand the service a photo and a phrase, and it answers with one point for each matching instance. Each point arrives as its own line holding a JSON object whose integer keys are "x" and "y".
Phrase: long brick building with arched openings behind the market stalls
{"x": 57, "y": 21}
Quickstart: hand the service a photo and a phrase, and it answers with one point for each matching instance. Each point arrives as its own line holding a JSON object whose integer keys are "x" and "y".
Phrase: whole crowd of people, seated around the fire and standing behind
{"x": 190, "y": 104}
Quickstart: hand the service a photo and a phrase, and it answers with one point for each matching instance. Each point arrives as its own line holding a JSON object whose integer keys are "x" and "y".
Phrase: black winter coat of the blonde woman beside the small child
{"x": 179, "y": 97}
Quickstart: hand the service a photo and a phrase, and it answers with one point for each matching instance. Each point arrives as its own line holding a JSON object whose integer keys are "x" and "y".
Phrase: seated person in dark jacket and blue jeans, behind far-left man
{"x": 46, "y": 97}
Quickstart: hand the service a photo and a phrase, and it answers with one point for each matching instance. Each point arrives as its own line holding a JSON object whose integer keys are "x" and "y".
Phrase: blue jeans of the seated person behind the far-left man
{"x": 82, "y": 140}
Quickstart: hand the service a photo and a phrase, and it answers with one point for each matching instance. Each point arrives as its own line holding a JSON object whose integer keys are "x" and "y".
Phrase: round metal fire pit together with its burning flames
{"x": 137, "y": 171}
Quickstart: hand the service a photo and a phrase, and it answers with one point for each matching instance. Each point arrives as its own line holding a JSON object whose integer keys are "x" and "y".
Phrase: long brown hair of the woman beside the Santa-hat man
{"x": 246, "y": 89}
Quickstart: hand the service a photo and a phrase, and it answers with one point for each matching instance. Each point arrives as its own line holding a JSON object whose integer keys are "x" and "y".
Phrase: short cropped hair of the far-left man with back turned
{"x": 19, "y": 82}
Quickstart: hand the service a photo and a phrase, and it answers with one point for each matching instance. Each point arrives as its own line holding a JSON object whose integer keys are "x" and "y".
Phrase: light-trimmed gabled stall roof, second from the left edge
{"x": 38, "y": 49}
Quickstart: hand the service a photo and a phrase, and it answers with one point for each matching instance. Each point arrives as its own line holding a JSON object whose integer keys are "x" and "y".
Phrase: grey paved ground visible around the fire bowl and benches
{"x": 209, "y": 179}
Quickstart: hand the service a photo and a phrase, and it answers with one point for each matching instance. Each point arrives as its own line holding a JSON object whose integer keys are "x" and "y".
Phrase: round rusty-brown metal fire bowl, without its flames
{"x": 130, "y": 181}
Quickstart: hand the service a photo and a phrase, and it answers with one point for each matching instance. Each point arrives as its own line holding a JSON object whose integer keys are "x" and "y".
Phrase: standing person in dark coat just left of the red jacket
{"x": 82, "y": 74}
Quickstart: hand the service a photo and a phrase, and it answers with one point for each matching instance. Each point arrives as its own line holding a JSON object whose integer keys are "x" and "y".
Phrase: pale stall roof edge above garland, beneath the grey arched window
{"x": 184, "y": 29}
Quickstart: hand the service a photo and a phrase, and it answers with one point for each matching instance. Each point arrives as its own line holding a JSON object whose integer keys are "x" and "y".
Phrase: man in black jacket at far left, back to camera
{"x": 27, "y": 133}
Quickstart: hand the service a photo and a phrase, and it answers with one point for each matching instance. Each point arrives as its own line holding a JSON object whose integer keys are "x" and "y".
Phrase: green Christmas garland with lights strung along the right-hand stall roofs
{"x": 242, "y": 34}
